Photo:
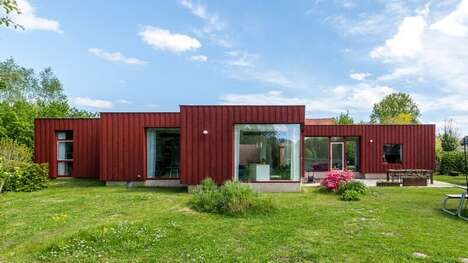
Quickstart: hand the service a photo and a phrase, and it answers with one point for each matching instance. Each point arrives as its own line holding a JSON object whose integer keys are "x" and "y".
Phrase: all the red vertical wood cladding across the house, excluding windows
{"x": 113, "y": 148}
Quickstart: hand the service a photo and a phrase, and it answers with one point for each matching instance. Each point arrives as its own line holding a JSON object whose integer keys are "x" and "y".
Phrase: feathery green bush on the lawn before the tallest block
{"x": 232, "y": 198}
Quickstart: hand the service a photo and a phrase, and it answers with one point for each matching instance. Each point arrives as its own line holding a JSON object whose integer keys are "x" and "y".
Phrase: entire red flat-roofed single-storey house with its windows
{"x": 272, "y": 148}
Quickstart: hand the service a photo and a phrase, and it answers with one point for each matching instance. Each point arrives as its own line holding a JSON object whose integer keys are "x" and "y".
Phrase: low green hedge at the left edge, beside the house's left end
{"x": 23, "y": 177}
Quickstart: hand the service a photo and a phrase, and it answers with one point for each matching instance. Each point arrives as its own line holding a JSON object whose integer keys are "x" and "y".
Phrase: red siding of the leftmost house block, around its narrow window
{"x": 85, "y": 145}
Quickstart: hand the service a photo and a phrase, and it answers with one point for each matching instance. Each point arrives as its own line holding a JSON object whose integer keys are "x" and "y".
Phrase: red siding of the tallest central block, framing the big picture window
{"x": 212, "y": 155}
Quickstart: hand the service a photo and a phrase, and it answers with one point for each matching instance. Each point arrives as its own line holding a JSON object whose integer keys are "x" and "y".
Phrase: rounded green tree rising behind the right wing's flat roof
{"x": 395, "y": 108}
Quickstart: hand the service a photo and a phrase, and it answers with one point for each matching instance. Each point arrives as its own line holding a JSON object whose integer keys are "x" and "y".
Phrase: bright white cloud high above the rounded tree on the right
{"x": 407, "y": 42}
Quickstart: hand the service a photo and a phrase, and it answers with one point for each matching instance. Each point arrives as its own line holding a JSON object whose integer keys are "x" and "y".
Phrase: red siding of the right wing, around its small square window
{"x": 418, "y": 144}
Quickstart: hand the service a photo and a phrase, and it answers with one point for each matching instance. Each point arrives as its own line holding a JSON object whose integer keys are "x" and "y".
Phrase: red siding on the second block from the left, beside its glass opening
{"x": 123, "y": 143}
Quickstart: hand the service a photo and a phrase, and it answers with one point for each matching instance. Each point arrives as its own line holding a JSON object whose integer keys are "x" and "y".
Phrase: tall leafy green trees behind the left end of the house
{"x": 25, "y": 95}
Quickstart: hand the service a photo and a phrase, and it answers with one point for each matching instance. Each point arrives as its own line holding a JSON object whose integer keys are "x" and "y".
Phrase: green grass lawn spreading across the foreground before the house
{"x": 83, "y": 221}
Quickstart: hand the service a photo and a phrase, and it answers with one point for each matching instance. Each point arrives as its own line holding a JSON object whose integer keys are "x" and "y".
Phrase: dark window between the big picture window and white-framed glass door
{"x": 316, "y": 154}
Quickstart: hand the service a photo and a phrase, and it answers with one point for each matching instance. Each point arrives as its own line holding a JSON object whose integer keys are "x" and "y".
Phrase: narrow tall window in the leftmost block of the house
{"x": 64, "y": 153}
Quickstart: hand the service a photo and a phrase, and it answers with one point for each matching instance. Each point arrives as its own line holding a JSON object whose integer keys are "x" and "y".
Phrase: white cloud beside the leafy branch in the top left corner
{"x": 30, "y": 21}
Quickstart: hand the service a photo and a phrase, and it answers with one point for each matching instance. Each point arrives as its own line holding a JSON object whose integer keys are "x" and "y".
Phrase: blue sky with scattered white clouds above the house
{"x": 332, "y": 56}
